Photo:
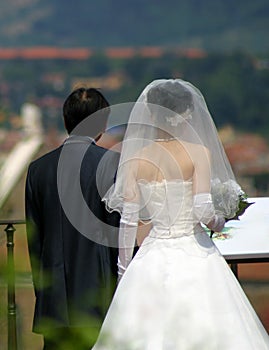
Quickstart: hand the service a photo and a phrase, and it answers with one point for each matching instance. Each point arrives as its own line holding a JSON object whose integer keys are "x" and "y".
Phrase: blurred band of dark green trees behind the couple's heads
{"x": 235, "y": 88}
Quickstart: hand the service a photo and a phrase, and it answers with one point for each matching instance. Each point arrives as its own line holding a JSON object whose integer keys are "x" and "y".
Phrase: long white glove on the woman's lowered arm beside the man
{"x": 127, "y": 235}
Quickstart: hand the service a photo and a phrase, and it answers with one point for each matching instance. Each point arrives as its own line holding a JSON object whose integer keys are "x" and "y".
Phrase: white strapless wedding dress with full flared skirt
{"x": 178, "y": 293}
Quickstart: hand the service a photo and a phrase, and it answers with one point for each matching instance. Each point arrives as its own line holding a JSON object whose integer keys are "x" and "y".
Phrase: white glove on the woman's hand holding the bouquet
{"x": 204, "y": 212}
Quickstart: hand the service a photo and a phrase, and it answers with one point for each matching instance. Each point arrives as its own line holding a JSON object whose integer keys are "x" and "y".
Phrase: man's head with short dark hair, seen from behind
{"x": 82, "y": 103}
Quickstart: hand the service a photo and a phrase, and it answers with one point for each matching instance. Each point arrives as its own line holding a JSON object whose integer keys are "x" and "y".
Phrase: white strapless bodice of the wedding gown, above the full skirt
{"x": 169, "y": 204}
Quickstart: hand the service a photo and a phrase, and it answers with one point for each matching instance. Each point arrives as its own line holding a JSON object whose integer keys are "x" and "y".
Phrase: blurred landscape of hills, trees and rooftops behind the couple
{"x": 48, "y": 48}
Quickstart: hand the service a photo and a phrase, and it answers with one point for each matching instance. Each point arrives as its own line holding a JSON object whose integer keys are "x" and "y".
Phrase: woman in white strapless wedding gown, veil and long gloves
{"x": 177, "y": 293}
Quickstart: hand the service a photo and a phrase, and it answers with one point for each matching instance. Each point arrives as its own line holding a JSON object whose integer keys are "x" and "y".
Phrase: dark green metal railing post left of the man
{"x": 12, "y": 314}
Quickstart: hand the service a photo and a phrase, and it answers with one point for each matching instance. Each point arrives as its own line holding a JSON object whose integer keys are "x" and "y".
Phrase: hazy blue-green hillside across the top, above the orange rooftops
{"x": 214, "y": 25}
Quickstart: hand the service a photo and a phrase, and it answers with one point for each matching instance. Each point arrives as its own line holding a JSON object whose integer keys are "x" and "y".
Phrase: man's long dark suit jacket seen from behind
{"x": 74, "y": 275}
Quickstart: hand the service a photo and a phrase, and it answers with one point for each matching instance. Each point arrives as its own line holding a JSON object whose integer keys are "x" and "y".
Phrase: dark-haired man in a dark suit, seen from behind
{"x": 68, "y": 228}
